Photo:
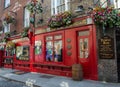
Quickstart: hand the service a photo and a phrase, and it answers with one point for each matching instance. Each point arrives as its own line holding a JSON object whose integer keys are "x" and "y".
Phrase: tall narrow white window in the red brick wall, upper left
{"x": 26, "y": 18}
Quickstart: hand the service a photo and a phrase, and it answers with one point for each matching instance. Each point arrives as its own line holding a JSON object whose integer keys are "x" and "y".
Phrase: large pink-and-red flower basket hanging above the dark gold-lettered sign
{"x": 106, "y": 17}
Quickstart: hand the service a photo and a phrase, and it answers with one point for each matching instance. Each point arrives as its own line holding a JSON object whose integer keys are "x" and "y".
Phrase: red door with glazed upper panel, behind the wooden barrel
{"x": 84, "y": 56}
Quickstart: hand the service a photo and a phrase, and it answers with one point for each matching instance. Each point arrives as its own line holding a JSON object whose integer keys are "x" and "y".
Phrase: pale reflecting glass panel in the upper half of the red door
{"x": 84, "y": 50}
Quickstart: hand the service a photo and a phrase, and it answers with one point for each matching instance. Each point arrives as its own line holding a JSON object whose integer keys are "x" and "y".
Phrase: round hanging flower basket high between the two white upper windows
{"x": 34, "y": 7}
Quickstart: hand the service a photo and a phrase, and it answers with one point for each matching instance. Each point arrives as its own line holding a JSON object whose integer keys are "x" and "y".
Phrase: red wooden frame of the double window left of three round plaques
{"x": 53, "y": 40}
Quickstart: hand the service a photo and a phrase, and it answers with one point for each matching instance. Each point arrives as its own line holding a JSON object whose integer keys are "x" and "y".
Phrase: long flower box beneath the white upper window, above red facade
{"x": 63, "y": 19}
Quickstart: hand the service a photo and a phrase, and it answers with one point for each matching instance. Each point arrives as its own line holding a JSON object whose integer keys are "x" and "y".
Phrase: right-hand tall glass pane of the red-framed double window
{"x": 58, "y": 51}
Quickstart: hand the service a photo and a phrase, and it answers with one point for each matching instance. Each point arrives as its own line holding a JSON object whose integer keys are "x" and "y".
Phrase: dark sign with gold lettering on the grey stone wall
{"x": 106, "y": 47}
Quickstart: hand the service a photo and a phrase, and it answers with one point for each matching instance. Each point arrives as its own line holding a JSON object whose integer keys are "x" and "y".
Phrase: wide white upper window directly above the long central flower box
{"x": 59, "y": 6}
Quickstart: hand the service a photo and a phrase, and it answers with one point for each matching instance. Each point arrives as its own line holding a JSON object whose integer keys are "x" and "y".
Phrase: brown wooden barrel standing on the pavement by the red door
{"x": 77, "y": 73}
